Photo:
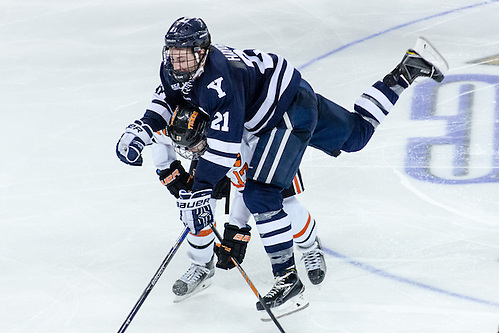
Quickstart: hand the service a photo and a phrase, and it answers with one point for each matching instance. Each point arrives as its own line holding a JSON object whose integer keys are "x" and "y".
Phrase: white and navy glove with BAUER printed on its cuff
{"x": 195, "y": 209}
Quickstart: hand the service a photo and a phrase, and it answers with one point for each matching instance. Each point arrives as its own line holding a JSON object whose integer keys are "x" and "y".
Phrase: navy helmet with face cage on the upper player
{"x": 191, "y": 36}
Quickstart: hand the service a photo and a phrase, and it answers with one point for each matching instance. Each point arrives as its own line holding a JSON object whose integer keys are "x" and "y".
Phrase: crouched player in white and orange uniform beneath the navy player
{"x": 187, "y": 128}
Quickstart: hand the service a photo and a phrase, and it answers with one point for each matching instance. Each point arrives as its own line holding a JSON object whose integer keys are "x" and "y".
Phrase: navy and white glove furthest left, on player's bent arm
{"x": 129, "y": 147}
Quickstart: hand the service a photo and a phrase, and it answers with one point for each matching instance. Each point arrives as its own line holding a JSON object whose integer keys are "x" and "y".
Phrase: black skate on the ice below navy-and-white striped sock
{"x": 285, "y": 297}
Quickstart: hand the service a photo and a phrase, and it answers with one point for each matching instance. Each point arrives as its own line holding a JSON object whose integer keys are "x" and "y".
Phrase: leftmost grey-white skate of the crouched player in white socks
{"x": 195, "y": 279}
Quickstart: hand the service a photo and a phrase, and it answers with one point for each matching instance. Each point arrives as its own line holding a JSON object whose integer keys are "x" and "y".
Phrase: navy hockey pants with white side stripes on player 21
{"x": 312, "y": 120}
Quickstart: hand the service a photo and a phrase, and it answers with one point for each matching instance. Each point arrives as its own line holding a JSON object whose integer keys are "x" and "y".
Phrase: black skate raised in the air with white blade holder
{"x": 424, "y": 61}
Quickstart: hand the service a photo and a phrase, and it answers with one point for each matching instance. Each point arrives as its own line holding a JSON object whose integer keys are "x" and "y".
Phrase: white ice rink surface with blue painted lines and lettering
{"x": 410, "y": 223}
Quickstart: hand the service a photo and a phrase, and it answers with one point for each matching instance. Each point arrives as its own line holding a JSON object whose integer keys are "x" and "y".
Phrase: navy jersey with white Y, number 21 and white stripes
{"x": 239, "y": 90}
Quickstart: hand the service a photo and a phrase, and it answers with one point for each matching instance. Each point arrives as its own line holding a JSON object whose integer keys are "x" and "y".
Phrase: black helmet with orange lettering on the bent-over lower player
{"x": 187, "y": 129}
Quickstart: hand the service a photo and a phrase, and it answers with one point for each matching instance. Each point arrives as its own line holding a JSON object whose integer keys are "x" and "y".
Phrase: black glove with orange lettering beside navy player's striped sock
{"x": 233, "y": 245}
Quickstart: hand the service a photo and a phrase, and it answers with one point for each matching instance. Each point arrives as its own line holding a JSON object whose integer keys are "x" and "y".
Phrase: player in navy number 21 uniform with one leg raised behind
{"x": 250, "y": 91}
